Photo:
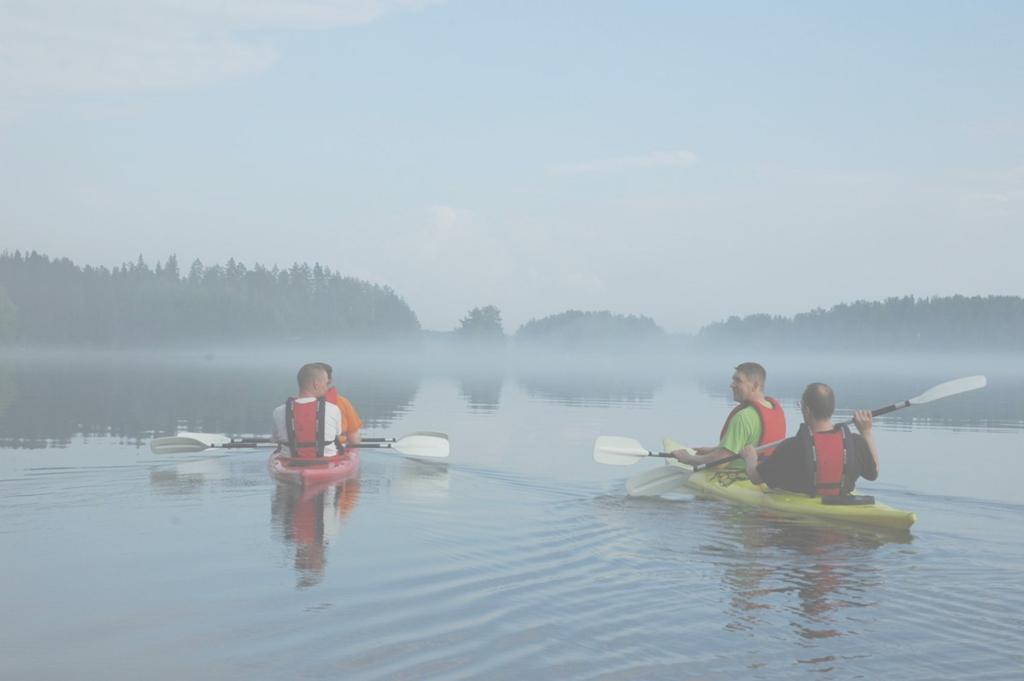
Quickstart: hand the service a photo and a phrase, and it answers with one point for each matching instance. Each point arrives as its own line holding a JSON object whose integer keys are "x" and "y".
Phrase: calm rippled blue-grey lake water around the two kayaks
{"x": 521, "y": 558}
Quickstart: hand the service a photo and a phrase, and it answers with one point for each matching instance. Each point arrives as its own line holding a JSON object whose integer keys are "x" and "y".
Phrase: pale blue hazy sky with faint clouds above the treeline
{"x": 685, "y": 161}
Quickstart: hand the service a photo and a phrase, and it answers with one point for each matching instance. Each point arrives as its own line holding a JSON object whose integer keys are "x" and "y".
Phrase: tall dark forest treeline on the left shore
{"x": 47, "y": 302}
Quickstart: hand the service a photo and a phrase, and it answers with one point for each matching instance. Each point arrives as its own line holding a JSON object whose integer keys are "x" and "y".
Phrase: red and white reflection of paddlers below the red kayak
{"x": 309, "y": 518}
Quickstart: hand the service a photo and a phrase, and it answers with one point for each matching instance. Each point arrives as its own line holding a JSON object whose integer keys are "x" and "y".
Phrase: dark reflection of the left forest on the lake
{"x": 135, "y": 398}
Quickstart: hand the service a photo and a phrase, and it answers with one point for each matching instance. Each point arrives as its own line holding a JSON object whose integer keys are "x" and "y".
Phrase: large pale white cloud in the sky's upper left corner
{"x": 114, "y": 47}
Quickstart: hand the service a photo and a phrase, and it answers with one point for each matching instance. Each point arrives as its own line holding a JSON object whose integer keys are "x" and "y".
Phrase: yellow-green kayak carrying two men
{"x": 734, "y": 486}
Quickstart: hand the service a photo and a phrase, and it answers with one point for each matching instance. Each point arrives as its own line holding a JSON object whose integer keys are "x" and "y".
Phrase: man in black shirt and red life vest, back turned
{"x": 804, "y": 464}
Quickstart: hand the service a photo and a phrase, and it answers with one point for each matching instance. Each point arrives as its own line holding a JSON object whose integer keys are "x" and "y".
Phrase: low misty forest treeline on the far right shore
{"x": 944, "y": 324}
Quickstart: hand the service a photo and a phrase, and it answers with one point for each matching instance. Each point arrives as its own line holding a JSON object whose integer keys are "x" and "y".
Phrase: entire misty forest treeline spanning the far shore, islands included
{"x": 54, "y": 302}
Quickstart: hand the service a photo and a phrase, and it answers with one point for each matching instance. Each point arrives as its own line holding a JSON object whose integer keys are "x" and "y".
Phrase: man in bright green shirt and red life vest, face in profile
{"x": 757, "y": 420}
